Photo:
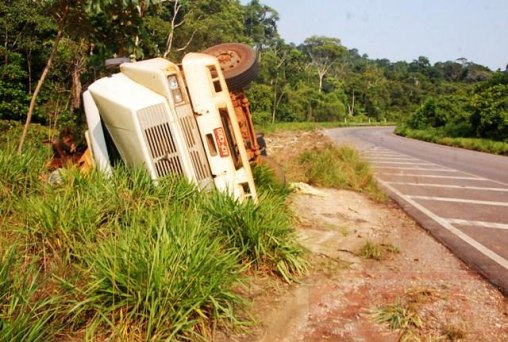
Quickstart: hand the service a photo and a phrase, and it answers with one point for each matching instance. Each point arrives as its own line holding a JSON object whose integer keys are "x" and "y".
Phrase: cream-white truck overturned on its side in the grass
{"x": 191, "y": 119}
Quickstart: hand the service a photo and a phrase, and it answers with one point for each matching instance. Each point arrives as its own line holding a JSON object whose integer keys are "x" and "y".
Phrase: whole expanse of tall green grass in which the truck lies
{"x": 119, "y": 257}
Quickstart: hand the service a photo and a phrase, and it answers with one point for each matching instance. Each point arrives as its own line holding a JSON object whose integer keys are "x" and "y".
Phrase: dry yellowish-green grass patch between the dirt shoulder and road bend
{"x": 340, "y": 167}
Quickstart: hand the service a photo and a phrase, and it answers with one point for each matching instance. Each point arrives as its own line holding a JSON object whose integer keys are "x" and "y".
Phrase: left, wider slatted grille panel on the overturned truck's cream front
{"x": 160, "y": 141}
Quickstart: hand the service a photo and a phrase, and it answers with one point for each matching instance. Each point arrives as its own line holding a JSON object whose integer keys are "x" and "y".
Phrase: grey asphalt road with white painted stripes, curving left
{"x": 459, "y": 196}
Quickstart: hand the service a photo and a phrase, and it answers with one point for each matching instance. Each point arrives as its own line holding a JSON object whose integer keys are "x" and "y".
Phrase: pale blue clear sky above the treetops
{"x": 441, "y": 30}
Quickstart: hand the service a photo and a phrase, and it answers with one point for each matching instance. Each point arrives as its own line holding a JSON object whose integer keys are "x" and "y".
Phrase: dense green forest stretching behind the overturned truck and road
{"x": 51, "y": 50}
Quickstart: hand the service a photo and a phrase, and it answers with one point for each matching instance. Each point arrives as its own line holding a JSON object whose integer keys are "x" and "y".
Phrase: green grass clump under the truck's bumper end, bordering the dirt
{"x": 262, "y": 234}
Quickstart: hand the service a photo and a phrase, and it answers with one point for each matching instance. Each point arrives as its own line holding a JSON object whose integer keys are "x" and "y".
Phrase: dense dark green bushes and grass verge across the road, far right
{"x": 476, "y": 120}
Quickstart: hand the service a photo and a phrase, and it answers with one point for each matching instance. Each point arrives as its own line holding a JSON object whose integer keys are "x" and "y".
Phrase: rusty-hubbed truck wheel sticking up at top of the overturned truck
{"x": 238, "y": 63}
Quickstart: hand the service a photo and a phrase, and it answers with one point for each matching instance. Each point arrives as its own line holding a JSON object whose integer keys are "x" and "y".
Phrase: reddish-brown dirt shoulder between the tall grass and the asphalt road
{"x": 414, "y": 281}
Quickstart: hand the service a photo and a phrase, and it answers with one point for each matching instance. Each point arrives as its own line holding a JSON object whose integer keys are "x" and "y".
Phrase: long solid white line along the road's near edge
{"x": 473, "y": 243}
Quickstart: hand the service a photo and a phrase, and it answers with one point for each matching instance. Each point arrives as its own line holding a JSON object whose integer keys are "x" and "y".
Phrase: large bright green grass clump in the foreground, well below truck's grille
{"x": 165, "y": 276}
